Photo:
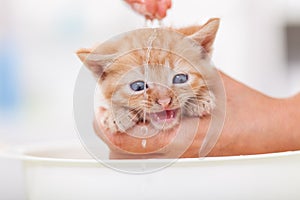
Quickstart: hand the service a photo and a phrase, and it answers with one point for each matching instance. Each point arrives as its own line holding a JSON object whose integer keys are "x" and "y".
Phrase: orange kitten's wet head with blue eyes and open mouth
{"x": 174, "y": 81}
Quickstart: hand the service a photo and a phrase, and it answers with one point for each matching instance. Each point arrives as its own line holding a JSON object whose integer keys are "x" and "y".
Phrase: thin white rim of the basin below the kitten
{"x": 23, "y": 153}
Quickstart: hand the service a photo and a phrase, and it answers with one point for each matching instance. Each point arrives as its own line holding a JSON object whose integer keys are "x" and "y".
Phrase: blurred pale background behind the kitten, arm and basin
{"x": 258, "y": 44}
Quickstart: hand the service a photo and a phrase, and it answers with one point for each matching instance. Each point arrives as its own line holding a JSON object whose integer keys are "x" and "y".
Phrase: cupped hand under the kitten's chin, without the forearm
{"x": 164, "y": 144}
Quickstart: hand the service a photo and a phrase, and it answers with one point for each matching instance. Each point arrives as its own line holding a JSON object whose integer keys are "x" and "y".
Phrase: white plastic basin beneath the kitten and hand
{"x": 66, "y": 171}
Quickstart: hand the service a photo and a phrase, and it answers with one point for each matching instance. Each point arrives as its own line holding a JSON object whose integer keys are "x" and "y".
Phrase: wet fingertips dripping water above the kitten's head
{"x": 151, "y": 9}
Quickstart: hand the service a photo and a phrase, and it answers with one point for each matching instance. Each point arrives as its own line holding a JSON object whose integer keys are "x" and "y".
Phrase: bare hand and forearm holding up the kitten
{"x": 254, "y": 124}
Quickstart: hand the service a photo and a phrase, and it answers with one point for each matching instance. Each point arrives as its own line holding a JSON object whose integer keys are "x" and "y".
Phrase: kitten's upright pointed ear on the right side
{"x": 207, "y": 34}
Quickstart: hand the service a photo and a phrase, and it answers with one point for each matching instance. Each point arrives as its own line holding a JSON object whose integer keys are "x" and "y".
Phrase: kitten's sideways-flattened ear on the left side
{"x": 95, "y": 62}
